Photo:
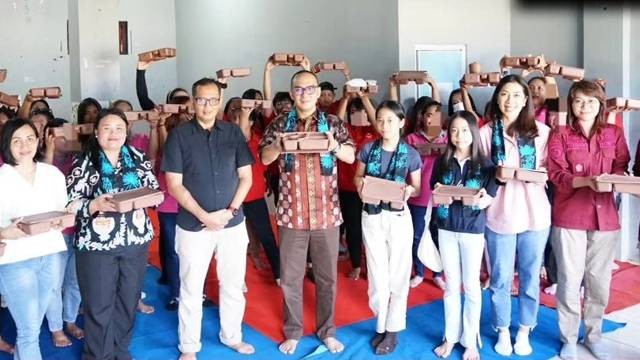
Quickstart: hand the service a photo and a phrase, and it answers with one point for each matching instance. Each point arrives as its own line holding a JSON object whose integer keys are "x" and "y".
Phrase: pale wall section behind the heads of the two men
{"x": 244, "y": 33}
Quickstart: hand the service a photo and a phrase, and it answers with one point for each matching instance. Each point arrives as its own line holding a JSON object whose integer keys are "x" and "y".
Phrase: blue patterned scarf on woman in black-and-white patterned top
{"x": 108, "y": 180}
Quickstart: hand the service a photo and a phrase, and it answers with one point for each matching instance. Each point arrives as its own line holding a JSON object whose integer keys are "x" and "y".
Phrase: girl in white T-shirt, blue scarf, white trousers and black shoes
{"x": 387, "y": 232}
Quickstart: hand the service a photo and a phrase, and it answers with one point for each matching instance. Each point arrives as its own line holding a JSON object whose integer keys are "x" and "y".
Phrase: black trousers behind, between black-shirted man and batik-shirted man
{"x": 257, "y": 214}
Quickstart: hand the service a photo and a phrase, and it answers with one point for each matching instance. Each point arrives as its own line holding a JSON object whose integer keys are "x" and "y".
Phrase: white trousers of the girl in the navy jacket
{"x": 461, "y": 255}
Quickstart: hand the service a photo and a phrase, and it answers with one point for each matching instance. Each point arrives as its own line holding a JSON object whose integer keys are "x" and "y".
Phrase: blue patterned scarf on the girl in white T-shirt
{"x": 397, "y": 171}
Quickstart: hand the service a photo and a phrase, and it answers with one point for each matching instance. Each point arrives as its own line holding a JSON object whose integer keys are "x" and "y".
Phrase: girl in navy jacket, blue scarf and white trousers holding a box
{"x": 461, "y": 232}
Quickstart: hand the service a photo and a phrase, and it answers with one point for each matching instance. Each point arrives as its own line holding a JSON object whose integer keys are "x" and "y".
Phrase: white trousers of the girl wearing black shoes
{"x": 388, "y": 238}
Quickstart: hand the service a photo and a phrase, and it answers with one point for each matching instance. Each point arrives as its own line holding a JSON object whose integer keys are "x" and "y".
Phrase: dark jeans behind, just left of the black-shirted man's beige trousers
{"x": 171, "y": 261}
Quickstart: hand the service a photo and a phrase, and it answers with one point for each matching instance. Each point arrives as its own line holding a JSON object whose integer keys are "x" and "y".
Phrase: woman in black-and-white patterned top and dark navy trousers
{"x": 111, "y": 247}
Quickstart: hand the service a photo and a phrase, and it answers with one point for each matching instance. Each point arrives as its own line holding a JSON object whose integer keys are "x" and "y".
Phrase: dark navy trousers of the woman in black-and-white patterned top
{"x": 110, "y": 283}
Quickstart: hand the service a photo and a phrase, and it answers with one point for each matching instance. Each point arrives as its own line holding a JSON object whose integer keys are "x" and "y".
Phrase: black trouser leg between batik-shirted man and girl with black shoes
{"x": 351, "y": 207}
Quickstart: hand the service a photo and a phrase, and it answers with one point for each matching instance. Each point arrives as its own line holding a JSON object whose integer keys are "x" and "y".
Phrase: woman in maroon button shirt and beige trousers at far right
{"x": 585, "y": 222}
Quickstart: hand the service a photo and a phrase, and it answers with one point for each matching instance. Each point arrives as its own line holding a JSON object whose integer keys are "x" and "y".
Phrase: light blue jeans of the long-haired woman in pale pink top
{"x": 529, "y": 247}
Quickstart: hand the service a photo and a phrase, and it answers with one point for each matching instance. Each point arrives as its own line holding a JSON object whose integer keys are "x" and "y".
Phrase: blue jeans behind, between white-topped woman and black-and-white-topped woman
{"x": 65, "y": 301}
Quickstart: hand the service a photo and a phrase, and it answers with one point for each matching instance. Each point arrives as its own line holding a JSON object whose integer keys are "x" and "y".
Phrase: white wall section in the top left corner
{"x": 33, "y": 34}
